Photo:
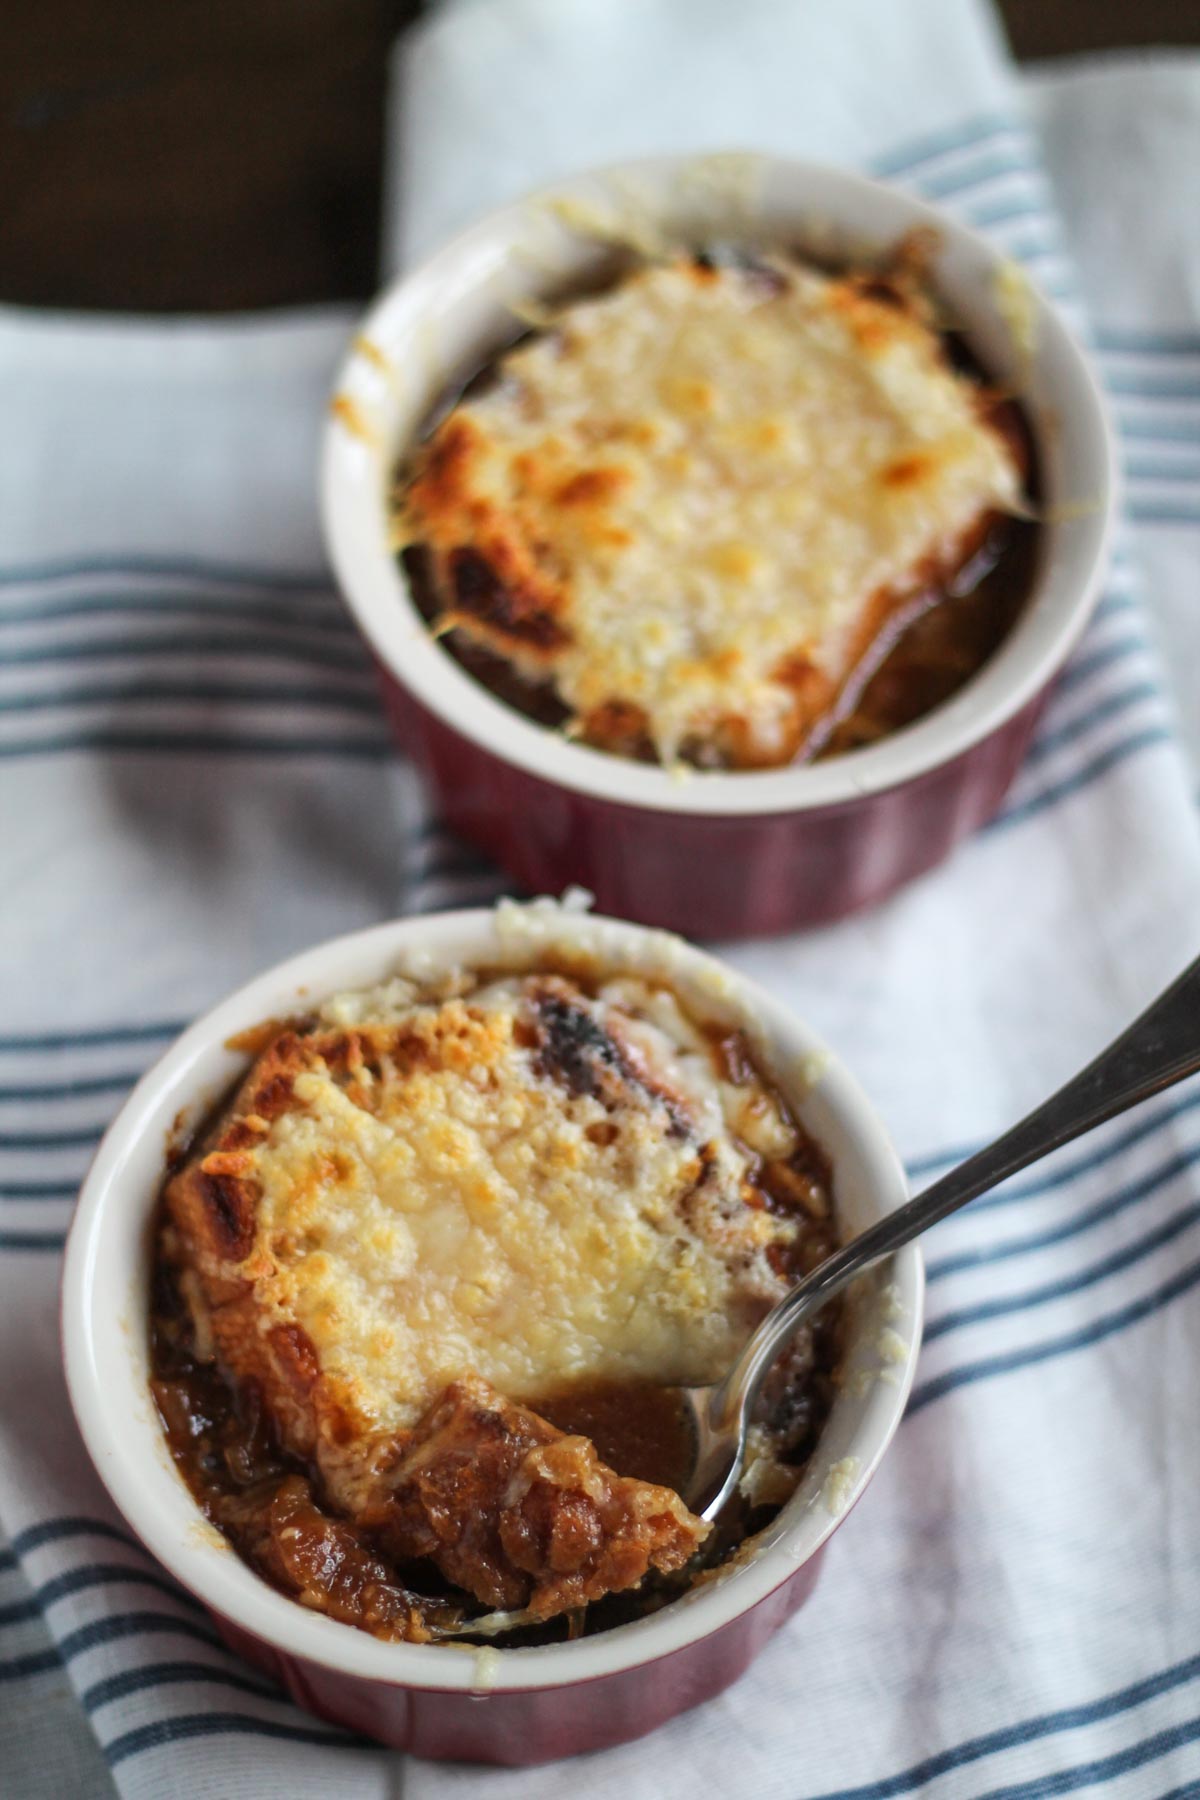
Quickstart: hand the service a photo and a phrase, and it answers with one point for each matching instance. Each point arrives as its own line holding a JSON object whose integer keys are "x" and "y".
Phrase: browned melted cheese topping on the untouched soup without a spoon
{"x": 695, "y": 498}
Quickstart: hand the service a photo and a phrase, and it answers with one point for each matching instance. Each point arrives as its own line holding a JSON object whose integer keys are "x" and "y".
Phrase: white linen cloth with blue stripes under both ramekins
{"x": 195, "y": 780}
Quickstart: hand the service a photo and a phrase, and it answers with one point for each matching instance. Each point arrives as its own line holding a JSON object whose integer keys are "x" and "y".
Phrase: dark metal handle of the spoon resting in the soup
{"x": 1158, "y": 1050}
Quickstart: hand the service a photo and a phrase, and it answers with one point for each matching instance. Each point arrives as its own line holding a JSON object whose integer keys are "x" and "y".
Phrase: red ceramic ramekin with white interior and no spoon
{"x": 719, "y": 854}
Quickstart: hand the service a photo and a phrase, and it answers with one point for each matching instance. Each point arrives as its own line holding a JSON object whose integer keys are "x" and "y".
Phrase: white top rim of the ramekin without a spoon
{"x": 1012, "y": 678}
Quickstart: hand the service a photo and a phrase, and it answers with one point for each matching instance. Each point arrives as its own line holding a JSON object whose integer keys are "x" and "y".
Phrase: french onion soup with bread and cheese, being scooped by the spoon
{"x": 425, "y": 1282}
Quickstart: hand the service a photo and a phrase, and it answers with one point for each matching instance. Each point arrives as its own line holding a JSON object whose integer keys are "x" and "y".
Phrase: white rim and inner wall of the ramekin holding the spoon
{"x": 105, "y": 1297}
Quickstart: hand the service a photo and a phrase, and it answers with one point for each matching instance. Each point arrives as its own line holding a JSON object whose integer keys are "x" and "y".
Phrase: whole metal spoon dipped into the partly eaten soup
{"x": 1158, "y": 1050}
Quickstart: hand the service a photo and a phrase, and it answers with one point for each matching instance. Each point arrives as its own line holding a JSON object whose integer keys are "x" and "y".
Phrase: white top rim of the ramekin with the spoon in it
{"x": 123, "y": 1450}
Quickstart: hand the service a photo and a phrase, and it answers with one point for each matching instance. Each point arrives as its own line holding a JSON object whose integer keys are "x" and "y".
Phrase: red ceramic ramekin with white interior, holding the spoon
{"x": 524, "y": 1705}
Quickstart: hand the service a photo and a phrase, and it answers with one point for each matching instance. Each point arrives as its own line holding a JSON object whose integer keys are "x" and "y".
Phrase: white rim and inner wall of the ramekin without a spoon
{"x": 438, "y": 323}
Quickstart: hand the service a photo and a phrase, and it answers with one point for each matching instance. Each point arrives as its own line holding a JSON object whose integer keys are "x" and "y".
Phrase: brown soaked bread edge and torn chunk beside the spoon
{"x": 506, "y": 1506}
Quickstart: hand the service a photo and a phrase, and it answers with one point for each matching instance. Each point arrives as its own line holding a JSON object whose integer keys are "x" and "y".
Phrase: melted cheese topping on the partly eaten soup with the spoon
{"x": 517, "y": 1200}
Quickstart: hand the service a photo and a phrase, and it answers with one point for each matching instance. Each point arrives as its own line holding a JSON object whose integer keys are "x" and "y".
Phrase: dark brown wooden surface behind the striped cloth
{"x": 226, "y": 154}
